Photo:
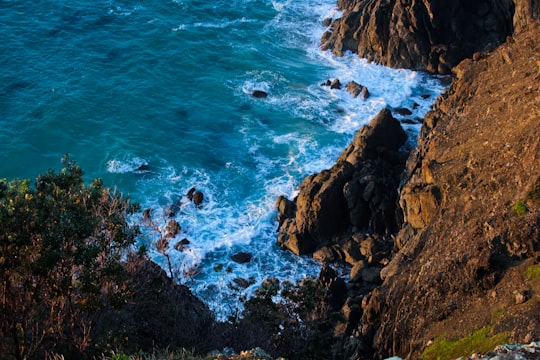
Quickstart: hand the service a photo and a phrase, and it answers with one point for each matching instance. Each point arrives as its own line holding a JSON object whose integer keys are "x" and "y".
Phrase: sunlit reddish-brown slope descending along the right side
{"x": 465, "y": 246}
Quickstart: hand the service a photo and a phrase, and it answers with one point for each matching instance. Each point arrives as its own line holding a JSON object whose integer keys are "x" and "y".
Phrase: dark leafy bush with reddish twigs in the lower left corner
{"x": 61, "y": 244}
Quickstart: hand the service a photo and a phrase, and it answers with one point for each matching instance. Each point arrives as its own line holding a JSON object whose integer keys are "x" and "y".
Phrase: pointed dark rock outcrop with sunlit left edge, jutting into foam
{"x": 358, "y": 194}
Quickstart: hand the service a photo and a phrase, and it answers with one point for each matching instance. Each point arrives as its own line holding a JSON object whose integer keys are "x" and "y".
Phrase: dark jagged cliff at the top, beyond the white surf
{"x": 427, "y": 35}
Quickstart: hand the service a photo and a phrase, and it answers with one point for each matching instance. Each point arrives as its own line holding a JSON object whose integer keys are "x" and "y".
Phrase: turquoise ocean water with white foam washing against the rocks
{"x": 154, "y": 97}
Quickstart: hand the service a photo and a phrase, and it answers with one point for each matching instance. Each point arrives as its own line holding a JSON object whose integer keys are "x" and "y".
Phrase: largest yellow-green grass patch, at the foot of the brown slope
{"x": 479, "y": 341}
